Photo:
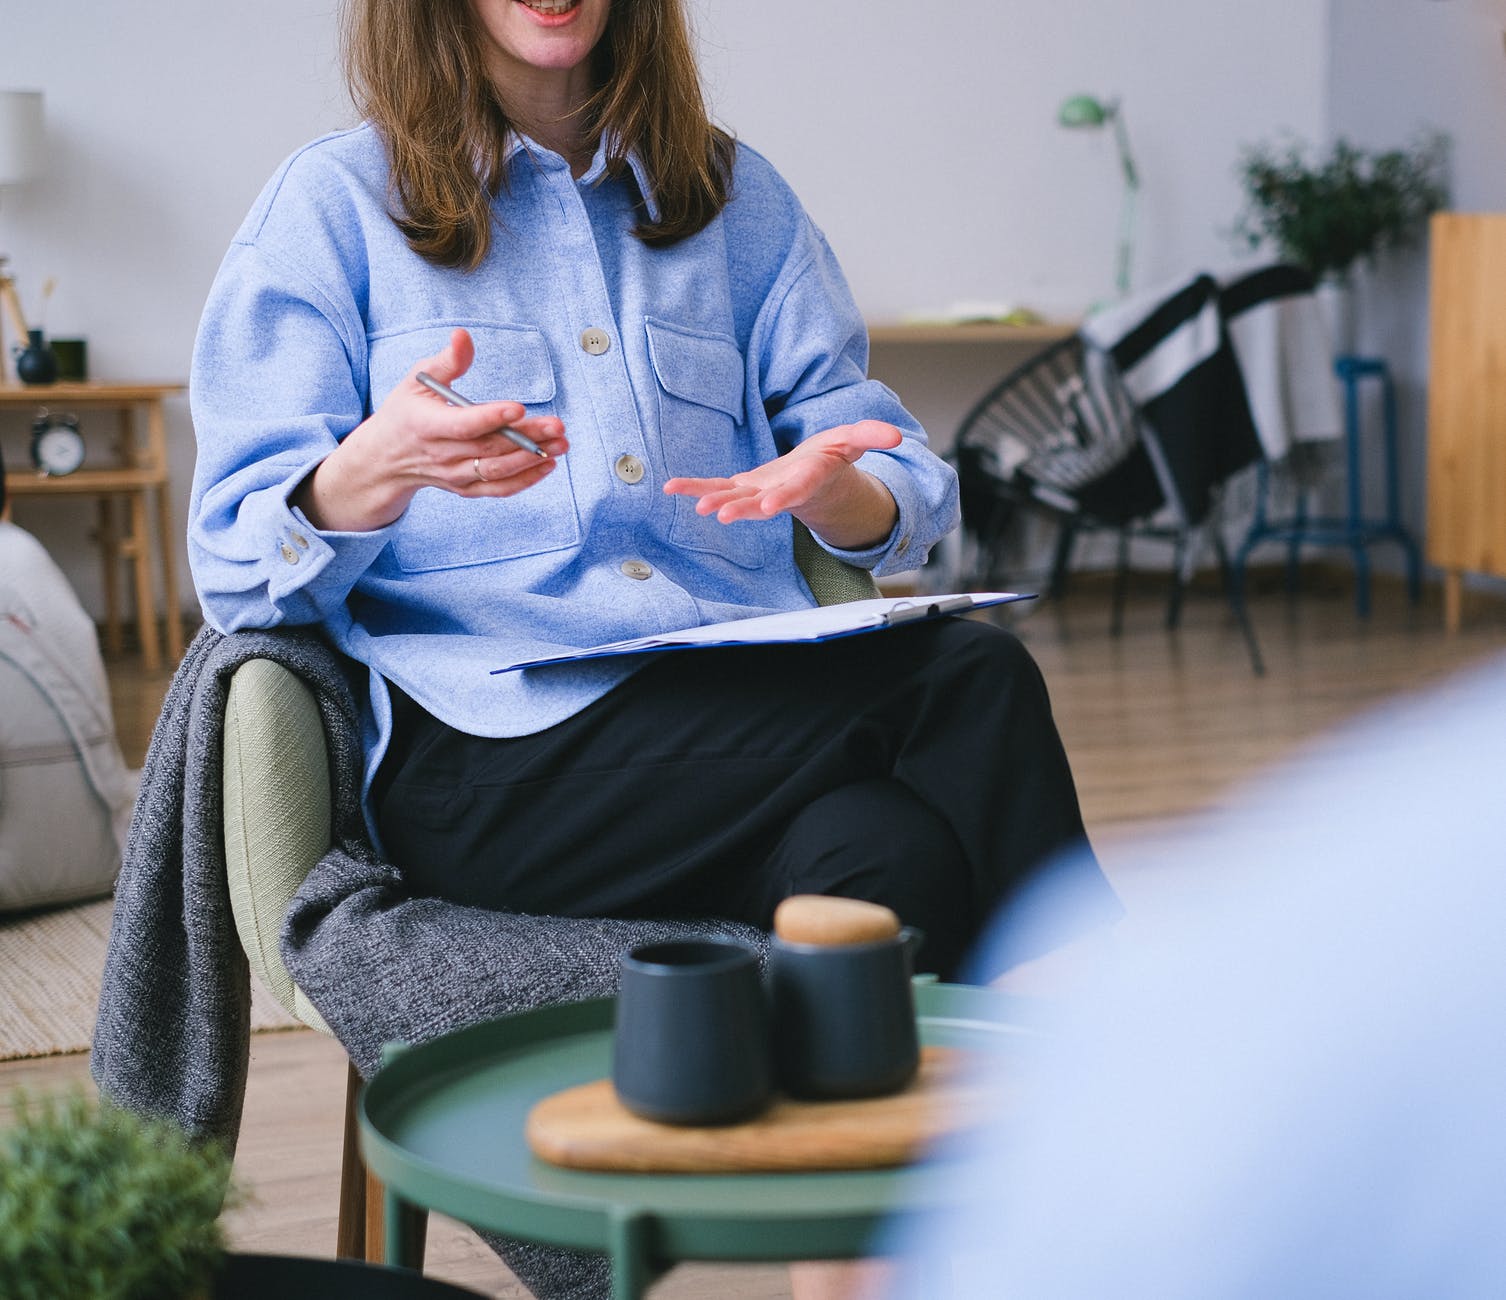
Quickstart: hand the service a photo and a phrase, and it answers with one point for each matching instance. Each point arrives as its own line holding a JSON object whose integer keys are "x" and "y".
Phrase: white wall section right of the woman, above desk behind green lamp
{"x": 924, "y": 138}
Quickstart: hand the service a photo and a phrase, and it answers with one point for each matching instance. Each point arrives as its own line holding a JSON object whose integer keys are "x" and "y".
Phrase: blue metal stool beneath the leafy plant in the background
{"x": 1352, "y": 529}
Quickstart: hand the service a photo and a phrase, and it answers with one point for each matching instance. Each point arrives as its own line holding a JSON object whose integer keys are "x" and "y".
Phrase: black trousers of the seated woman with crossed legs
{"x": 916, "y": 767}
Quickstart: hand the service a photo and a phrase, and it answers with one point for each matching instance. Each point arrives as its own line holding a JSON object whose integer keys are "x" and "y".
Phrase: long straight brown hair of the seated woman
{"x": 416, "y": 70}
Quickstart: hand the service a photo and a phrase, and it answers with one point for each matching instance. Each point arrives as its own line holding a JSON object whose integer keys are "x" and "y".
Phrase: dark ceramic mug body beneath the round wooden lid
{"x": 844, "y": 1016}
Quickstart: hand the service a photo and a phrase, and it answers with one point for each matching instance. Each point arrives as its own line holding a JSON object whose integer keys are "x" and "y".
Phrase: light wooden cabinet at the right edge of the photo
{"x": 1468, "y": 401}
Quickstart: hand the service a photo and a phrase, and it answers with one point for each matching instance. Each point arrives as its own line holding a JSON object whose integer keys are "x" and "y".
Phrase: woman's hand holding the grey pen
{"x": 415, "y": 439}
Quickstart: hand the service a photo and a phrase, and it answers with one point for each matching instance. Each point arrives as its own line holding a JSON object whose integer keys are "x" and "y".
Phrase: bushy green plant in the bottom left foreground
{"x": 97, "y": 1204}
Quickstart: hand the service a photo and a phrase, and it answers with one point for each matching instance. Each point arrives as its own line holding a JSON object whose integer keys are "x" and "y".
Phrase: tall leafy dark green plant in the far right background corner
{"x": 1329, "y": 212}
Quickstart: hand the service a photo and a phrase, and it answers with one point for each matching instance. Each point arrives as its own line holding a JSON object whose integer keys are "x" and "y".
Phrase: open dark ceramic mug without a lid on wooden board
{"x": 692, "y": 1042}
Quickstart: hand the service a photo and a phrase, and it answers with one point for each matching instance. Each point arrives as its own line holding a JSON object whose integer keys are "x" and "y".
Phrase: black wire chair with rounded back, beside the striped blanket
{"x": 1059, "y": 435}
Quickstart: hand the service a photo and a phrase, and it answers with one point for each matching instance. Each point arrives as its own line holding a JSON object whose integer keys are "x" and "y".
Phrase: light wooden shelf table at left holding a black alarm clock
{"x": 136, "y": 469}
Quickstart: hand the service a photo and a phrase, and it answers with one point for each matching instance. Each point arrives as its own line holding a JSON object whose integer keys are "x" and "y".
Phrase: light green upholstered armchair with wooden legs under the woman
{"x": 278, "y": 828}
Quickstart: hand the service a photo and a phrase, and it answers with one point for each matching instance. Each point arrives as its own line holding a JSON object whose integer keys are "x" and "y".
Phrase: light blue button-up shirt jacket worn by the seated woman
{"x": 725, "y": 352}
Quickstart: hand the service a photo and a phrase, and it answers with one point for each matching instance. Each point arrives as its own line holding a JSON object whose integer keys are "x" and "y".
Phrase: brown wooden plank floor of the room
{"x": 1157, "y": 725}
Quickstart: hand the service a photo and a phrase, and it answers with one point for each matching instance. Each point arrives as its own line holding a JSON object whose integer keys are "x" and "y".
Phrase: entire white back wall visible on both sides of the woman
{"x": 921, "y": 136}
